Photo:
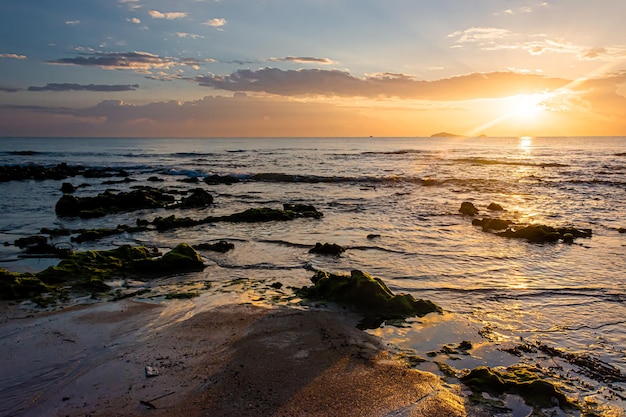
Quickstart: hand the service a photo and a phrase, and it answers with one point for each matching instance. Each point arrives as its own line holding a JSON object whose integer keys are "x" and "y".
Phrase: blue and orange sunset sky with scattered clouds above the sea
{"x": 311, "y": 68}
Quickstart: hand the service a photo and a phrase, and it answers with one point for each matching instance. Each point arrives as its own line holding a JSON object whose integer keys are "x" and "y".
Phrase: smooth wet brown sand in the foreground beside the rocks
{"x": 232, "y": 360}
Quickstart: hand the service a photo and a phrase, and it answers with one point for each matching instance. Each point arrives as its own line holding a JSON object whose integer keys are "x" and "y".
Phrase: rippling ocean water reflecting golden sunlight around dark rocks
{"x": 393, "y": 203}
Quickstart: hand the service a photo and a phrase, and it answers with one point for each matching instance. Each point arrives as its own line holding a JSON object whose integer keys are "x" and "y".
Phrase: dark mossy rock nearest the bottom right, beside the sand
{"x": 522, "y": 381}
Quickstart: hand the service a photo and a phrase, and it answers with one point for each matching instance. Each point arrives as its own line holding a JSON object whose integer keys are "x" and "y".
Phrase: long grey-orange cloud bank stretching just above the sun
{"x": 329, "y": 83}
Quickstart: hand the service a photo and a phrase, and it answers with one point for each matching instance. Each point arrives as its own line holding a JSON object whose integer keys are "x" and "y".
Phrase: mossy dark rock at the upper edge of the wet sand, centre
{"x": 366, "y": 294}
